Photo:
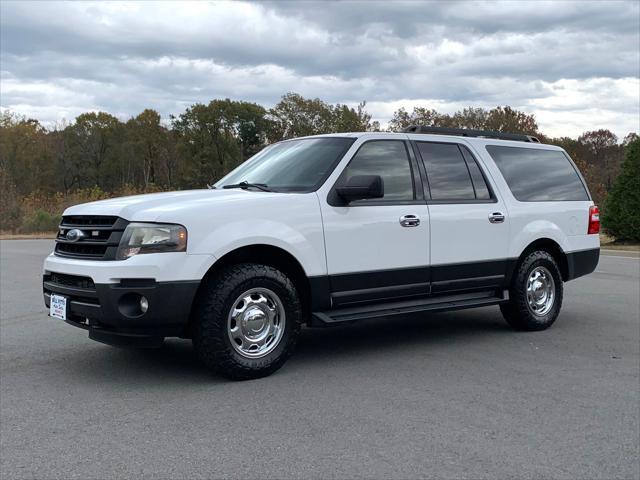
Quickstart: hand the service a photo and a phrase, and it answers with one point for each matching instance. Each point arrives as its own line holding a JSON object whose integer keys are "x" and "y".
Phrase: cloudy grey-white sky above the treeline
{"x": 575, "y": 65}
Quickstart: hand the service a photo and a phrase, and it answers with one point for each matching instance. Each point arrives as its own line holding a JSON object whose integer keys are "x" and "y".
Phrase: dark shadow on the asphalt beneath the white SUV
{"x": 176, "y": 362}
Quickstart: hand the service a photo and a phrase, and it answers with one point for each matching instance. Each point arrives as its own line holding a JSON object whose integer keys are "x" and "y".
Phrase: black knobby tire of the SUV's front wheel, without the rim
{"x": 213, "y": 306}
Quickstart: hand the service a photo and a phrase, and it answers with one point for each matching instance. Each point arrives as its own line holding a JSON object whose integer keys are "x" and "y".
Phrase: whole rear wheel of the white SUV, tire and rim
{"x": 535, "y": 293}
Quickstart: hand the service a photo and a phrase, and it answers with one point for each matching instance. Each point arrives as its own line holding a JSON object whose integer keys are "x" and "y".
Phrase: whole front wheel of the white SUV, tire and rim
{"x": 246, "y": 321}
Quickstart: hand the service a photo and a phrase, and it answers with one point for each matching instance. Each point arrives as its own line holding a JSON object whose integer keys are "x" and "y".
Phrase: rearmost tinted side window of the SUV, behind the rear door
{"x": 536, "y": 175}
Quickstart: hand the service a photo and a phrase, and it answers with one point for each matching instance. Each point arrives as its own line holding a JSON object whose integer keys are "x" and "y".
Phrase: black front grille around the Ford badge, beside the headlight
{"x": 99, "y": 237}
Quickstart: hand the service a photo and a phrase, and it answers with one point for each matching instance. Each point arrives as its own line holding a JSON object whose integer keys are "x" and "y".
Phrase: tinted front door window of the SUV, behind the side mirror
{"x": 389, "y": 159}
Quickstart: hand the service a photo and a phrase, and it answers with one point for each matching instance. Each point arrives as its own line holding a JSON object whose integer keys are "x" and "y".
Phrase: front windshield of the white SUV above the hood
{"x": 294, "y": 165}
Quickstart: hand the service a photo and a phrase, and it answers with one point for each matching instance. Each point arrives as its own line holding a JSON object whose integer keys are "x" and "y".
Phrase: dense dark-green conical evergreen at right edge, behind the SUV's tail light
{"x": 621, "y": 216}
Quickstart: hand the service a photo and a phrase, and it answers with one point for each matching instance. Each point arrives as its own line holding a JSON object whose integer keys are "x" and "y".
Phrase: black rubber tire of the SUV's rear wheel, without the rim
{"x": 517, "y": 312}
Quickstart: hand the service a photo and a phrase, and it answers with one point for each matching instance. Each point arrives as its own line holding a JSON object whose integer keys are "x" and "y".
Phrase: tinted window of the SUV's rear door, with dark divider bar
{"x": 452, "y": 172}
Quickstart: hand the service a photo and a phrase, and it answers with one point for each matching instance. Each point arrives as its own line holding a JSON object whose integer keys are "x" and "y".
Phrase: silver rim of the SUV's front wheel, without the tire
{"x": 256, "y": 323}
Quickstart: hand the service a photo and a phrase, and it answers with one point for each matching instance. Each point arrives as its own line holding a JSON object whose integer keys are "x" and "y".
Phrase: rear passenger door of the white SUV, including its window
{"x": 469, "y": 226}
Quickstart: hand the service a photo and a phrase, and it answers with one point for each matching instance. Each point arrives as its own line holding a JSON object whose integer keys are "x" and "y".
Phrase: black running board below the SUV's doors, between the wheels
{"x": 400, "y": 307}
